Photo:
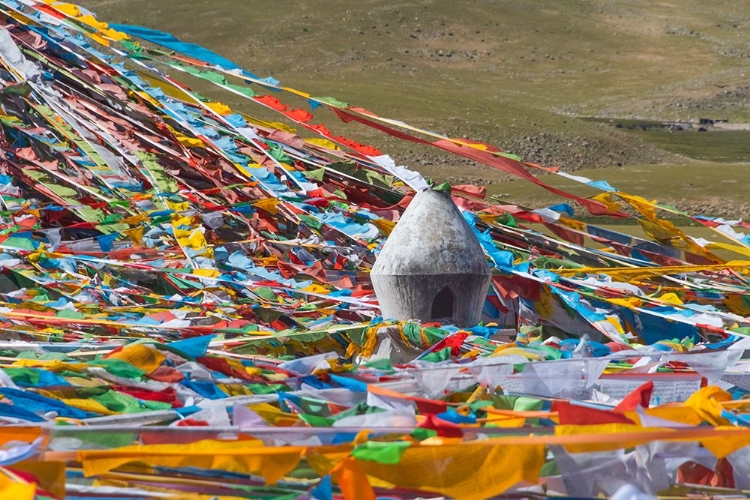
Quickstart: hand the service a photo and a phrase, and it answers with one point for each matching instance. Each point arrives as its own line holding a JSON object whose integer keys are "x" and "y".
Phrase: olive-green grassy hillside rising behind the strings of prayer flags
{"x": 518, "y": 71}
